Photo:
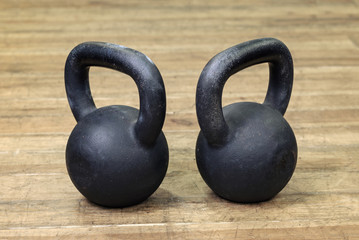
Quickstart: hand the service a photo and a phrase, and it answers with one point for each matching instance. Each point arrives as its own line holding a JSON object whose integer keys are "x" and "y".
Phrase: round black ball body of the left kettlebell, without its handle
{"x": 108, "y": 164}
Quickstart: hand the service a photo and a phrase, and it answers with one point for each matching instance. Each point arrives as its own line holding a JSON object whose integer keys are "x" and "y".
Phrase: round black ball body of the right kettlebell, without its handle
{"x": 257, "y": 160}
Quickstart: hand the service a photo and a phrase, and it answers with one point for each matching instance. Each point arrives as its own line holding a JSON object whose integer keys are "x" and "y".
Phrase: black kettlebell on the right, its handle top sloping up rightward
{"x": 246, "y": 152}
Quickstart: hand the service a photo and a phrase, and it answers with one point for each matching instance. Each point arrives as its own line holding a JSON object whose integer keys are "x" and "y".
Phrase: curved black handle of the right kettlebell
{"x": 230, "y": 61}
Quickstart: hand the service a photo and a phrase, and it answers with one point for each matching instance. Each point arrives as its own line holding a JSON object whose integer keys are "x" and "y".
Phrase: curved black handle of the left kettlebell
{"x": 131, "y": 62}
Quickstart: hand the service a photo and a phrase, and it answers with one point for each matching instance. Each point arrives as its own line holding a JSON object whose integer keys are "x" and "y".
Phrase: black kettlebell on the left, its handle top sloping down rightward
{"x": 116, "y": 156}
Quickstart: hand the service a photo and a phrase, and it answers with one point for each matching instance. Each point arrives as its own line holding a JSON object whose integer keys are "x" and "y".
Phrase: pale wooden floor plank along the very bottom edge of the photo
{"x": 184, "y": 231}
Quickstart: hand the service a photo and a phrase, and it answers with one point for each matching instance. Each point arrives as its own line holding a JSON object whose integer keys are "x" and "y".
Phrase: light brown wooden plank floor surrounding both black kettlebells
{"x": 37, "y": 198}
